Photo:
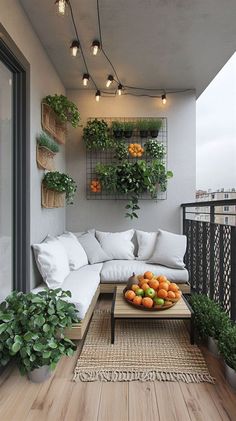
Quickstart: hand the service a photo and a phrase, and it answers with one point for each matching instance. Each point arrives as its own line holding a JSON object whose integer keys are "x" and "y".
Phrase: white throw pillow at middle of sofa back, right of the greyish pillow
{"x": 117, "y": 245}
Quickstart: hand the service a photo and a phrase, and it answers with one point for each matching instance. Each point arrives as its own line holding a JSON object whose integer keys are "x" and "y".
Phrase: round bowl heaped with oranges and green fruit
{"x": 150, "y": 292}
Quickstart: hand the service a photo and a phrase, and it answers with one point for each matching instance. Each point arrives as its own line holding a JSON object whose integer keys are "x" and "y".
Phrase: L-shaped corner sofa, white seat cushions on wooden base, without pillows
{"x": 87, "y": 282}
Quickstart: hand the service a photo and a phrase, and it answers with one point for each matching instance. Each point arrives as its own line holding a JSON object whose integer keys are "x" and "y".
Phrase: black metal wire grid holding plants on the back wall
{"x": 107, "y": 157}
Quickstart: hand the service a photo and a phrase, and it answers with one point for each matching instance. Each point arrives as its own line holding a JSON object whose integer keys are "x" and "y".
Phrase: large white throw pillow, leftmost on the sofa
{"x": 52, "y": 261}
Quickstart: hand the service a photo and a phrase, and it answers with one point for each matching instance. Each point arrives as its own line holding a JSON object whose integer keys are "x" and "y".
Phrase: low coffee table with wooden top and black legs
{"x": 123, "y": 310}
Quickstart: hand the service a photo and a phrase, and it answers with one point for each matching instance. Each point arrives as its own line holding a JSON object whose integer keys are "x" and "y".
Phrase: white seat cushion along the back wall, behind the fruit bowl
{"x": 120, "y": 270}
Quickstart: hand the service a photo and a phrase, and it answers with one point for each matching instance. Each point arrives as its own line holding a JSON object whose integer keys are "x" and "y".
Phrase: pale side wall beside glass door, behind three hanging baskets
{"x": 43, "y": 81}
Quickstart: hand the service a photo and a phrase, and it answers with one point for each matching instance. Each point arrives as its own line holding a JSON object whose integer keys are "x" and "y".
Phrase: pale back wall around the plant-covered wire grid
{"x": 109, "y": 215}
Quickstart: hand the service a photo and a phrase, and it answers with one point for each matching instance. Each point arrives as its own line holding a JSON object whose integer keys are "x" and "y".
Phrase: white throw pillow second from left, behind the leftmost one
{"x": 75, "y": 252}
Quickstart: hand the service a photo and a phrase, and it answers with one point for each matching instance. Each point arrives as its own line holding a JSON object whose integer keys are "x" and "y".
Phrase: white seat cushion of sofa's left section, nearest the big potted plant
{"x": 82, "y": 284}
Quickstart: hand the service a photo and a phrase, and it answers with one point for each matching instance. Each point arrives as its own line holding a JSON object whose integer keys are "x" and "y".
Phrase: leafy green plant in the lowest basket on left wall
{"x": 61, "y": 183}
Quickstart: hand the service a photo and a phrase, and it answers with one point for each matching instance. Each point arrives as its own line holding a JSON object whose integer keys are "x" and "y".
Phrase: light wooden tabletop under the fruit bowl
{"x": 122, "y": 309}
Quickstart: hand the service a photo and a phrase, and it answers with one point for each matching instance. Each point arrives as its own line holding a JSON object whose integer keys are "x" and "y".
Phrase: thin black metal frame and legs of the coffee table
{"x": 114, "y": 318}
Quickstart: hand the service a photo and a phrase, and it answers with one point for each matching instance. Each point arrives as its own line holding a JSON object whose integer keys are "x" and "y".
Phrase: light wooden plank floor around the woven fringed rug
{"x": 61, "y": 399}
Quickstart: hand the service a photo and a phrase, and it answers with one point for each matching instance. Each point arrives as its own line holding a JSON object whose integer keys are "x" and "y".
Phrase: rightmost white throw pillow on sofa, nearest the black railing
{"x": 169, "y": 250}
